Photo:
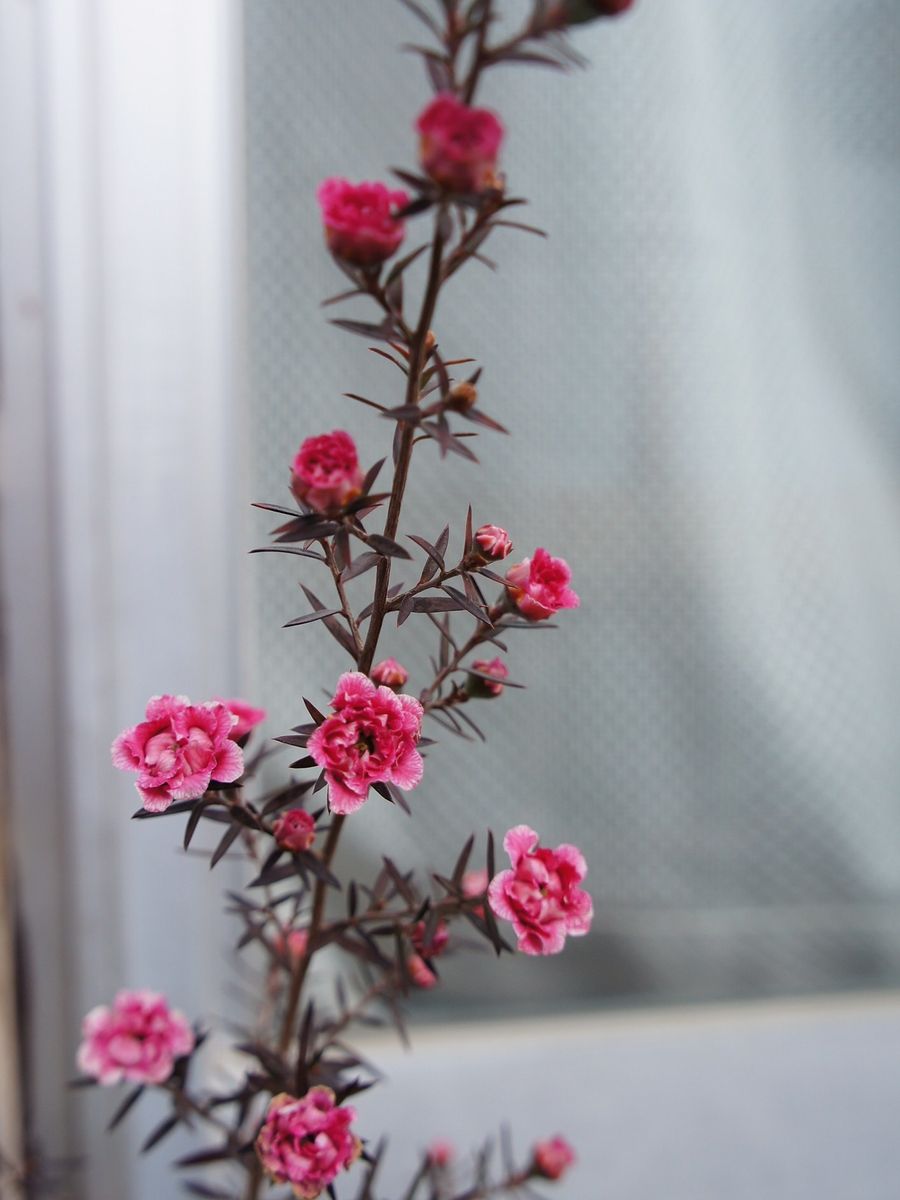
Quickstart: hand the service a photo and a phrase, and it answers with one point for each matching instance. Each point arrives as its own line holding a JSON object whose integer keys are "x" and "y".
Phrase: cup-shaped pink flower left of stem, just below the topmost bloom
{"x": 361, "y": 220}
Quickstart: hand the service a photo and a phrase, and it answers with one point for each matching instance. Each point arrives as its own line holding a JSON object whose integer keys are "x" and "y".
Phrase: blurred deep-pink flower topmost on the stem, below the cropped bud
{"x": 459, "y": 146}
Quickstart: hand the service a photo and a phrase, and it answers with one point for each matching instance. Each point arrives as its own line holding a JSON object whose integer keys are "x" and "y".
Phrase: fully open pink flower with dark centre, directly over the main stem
{"x": 370, "y": 740}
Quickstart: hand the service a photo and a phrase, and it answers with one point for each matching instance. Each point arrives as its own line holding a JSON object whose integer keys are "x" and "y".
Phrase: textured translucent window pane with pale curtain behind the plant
{"x": 699, "y": 370}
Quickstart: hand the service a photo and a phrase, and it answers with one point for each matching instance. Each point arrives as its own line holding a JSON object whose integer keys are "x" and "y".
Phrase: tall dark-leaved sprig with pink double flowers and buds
{"x": 289, "y": 1120}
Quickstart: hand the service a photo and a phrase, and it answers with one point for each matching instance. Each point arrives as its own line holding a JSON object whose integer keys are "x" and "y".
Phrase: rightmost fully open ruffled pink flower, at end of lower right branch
{"x": 541, "y": 895}
